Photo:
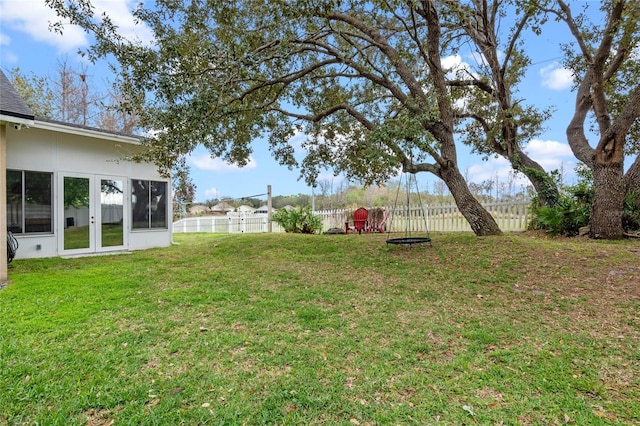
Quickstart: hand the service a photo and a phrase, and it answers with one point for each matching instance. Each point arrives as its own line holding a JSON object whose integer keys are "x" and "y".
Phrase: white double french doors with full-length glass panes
{"x": 93, "y": 217}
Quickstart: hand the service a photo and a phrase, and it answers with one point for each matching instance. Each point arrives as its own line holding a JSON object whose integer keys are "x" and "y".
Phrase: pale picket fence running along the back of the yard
{"x": 510, "y": 216}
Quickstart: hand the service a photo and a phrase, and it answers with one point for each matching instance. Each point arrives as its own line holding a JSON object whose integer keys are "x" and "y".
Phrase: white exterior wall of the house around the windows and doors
{"x": 50, "y": 147}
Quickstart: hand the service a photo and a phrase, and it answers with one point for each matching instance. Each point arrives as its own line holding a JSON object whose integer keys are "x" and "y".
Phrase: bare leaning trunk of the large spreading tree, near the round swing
{"x": 481, "y": 221}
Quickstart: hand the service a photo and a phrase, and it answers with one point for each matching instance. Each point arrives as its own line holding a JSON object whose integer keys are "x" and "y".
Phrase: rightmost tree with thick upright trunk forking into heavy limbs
{"x": 605, "y": 60}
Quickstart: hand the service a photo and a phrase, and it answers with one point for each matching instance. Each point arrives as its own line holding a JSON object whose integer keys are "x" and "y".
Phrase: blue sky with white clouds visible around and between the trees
{"x": 27, "y": 43}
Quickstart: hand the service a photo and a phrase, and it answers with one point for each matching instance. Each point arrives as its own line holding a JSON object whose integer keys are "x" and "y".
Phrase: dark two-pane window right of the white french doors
{"x": 148, "y": 204}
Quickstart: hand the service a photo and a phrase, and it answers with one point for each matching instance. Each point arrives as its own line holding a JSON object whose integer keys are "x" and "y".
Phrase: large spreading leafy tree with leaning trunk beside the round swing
{"x": 363, "y": 80}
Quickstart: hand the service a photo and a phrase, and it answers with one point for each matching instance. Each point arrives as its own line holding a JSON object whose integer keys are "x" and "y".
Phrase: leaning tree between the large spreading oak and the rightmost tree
{"x": 491, "y": 120}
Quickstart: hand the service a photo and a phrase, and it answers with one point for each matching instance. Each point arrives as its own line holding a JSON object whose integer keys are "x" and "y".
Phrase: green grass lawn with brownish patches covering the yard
{"x": 326, "y": 329}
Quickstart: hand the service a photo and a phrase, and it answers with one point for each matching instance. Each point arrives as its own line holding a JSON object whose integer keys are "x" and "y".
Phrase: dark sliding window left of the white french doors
{"x": 29, "y": 207}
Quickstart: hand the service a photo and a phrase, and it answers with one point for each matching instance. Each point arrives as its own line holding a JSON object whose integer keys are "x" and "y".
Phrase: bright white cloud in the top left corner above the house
{"x": 32, "y": 17}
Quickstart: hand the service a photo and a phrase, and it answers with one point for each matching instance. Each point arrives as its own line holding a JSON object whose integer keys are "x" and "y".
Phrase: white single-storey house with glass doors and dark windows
{"x": 70, "y": 190}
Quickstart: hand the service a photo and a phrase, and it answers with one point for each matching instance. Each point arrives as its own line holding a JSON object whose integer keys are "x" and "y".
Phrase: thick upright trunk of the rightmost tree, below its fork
{"x": 609, "y": 192}
